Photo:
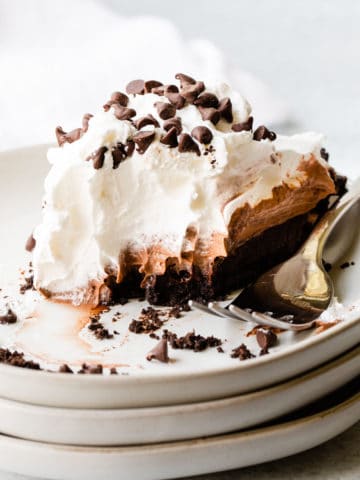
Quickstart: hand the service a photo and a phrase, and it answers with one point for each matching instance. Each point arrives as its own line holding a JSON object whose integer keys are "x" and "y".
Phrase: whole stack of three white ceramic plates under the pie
{"x": 202, "y": 412}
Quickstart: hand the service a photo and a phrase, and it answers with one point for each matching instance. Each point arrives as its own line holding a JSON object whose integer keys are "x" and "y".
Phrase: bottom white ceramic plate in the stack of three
{"x": 179, "y": 459}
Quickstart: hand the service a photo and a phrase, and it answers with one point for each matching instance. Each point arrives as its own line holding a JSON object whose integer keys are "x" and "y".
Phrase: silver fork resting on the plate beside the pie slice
{"x": 298, "y": 290}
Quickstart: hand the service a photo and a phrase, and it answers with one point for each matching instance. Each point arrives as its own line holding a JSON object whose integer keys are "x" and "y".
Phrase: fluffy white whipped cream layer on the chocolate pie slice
{"x": 92, "y": 218}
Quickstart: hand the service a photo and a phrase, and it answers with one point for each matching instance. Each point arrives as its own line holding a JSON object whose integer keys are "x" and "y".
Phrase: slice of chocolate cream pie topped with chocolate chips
{"x": 170, "y": 192}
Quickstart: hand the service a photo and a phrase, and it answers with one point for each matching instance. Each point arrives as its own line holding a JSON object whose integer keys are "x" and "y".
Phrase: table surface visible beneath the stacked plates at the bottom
{"x": 338, "y": 459}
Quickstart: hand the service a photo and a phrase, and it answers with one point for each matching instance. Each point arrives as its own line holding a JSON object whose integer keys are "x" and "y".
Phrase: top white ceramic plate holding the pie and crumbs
{"x": 53, "y": 333}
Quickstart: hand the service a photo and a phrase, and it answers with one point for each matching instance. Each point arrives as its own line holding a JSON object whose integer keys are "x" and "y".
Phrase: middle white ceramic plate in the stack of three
{"x": 178, "y": 422}
